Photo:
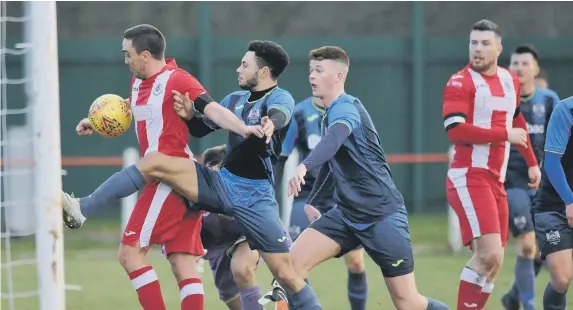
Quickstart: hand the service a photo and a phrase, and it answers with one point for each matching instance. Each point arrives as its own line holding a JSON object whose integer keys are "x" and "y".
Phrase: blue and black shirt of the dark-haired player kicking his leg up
{"x": 252, "y": 158}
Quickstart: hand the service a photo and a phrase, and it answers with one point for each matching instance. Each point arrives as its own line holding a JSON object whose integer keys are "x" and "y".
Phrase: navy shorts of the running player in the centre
{"x": 387, "y": 241}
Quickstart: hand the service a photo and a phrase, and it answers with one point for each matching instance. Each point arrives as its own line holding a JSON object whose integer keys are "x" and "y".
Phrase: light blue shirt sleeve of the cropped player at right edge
{"x": 559, "y": 129}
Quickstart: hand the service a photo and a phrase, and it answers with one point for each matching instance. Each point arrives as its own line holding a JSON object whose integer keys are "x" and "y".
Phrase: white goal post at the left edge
{"x": 44, "y": 100}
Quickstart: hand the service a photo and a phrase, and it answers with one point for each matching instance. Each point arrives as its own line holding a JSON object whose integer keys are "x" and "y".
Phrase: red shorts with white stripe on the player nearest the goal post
{"x": 160, "y": 216}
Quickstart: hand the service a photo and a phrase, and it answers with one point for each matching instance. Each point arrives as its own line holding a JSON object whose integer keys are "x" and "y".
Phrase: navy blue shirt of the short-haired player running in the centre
{"x": 364, "y": 189}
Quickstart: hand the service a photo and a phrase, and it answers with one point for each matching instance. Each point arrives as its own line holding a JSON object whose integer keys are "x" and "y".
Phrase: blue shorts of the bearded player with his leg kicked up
{"x": 251, "y": 202}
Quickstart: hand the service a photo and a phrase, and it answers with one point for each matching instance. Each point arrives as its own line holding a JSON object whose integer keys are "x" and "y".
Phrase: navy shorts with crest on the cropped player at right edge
{"x": 553, "y": 232}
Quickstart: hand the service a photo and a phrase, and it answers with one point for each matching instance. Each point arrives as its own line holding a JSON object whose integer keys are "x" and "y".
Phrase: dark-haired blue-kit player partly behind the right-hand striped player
{"x": 536, "y": 107}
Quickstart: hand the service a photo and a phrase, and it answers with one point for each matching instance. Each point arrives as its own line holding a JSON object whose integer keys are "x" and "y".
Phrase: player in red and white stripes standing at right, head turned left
{"x": 481, "y": 116}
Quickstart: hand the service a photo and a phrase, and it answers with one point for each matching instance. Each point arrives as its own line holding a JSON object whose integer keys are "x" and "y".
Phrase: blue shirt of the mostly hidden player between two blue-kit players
{"x": 304, "y": 134}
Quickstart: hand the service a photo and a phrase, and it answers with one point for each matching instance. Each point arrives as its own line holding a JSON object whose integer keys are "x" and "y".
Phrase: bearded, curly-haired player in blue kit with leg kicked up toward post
{"x": 244, "y": 187}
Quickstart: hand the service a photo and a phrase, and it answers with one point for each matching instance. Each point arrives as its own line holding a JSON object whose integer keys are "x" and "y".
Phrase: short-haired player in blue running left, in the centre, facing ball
{"x": 369, "y": 210}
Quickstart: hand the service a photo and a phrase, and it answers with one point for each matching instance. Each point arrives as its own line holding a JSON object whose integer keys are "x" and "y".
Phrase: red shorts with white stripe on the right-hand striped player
{"x": 480, "y": 203}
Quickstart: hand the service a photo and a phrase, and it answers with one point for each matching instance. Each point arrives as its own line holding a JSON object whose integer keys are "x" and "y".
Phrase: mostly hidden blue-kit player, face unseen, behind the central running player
{"x": 304, "y": 135}
